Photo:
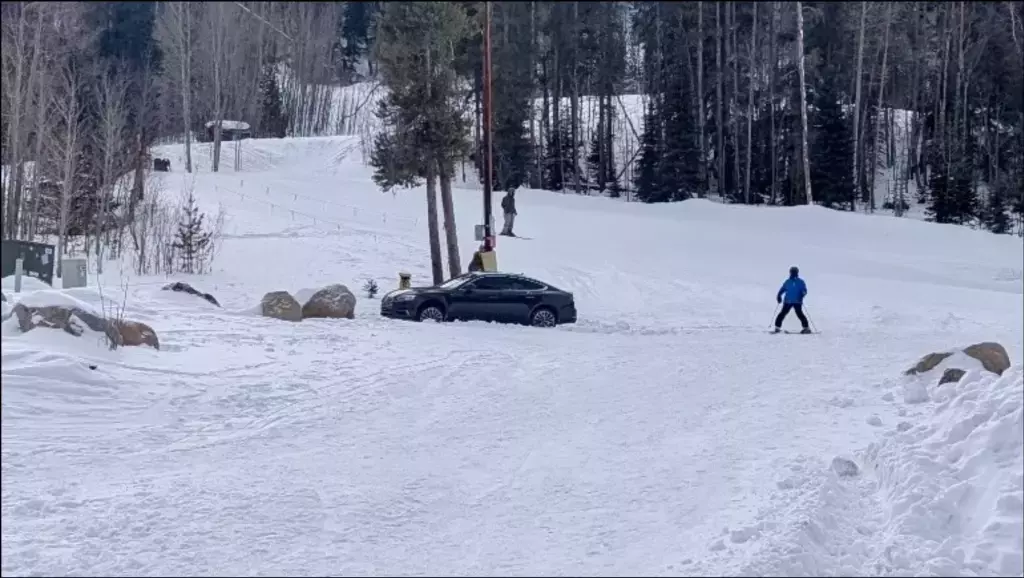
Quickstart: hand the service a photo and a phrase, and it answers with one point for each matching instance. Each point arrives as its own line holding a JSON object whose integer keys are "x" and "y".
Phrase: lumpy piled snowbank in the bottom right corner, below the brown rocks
{"x": 942, "y": 494}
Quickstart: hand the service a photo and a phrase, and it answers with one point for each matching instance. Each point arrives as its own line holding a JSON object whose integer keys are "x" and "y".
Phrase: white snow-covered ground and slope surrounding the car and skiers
{"x": 667, "y": 433}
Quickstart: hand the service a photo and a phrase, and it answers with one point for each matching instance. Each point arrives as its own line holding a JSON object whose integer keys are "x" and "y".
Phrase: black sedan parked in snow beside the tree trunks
{"x": 500, "y": 298}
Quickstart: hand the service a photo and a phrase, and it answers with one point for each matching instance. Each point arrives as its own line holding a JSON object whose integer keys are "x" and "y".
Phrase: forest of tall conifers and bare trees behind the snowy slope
{"x": 873, "y": 107}
